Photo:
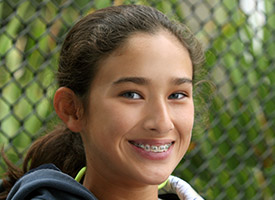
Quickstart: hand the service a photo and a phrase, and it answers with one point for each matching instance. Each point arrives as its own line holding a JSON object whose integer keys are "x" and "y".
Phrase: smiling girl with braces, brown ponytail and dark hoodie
{"x": 126, "y": 76}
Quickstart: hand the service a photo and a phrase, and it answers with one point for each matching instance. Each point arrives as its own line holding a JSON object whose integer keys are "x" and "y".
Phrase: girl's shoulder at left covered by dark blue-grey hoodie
{"x": 48, "y": 182}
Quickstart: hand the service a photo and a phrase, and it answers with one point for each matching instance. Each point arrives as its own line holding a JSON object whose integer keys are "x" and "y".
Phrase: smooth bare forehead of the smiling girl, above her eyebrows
{"x": 144, "y": 55}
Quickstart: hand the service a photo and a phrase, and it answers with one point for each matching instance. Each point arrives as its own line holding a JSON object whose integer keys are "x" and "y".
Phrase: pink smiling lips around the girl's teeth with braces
{"x": 152, "y": 155}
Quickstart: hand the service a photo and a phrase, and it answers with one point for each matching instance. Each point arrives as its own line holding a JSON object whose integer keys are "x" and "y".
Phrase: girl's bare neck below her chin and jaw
{"x": 105, "y": 189}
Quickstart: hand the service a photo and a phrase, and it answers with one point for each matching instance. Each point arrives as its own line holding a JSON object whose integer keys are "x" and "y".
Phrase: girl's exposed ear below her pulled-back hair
{"x": 68, "y": 107}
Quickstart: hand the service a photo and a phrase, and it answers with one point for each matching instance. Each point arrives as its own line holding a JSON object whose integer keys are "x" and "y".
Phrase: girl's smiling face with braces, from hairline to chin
{"x": 140, "y": 117}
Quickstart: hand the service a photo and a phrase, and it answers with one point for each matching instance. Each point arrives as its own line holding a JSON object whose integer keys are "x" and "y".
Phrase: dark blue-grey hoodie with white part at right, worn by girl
{"x": 47, "y": 182}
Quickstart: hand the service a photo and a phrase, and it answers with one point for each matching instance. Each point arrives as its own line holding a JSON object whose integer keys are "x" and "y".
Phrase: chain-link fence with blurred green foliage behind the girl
{"x": 231, "y": 158}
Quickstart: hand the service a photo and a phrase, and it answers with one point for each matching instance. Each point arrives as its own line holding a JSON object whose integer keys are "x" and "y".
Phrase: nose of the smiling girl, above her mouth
{"x": 158, "y": 118}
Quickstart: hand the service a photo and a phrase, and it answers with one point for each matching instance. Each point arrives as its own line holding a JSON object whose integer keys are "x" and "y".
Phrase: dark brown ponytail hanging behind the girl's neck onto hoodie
{"x": 60, "y": 147}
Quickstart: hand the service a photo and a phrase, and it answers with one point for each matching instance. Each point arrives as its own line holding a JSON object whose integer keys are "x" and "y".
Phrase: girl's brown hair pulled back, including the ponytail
{"x": 91, "y": 40}
